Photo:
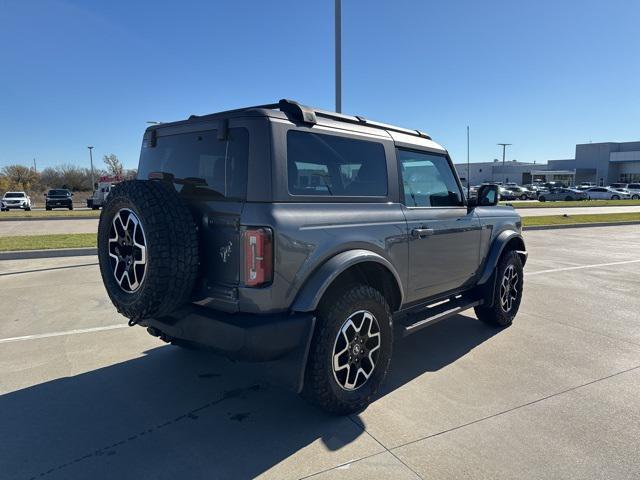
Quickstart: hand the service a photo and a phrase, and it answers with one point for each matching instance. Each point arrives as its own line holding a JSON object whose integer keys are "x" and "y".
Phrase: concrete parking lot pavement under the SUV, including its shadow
{"x": 553, "y": 396}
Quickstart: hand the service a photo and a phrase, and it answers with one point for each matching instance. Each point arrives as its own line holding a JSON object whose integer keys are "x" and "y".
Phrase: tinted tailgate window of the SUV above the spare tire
{"x": 199, "y": 164}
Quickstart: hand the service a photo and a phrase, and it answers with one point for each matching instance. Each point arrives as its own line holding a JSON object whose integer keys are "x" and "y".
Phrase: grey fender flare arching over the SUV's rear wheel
{"x": 317, "y": 284}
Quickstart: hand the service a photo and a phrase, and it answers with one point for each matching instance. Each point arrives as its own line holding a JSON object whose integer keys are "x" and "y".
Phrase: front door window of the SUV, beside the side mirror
{"x": 428, "y": 180}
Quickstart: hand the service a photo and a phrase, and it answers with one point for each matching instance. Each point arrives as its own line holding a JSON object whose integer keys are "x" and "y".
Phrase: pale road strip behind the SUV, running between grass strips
{"x": 71, "y": 225}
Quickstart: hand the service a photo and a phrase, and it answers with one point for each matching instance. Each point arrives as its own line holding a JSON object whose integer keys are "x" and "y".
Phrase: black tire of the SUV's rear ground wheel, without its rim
{"x": 321, "y": 386}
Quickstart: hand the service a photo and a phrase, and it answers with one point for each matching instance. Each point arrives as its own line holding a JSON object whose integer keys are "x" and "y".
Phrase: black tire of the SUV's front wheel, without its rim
{"x": 497, "y": 314}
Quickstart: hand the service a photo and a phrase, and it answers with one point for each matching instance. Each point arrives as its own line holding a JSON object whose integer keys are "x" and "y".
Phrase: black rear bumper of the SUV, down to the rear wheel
{"x": 280, "y": 342}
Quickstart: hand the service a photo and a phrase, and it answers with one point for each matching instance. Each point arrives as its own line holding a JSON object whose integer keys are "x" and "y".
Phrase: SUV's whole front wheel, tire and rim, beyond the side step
{"x": 507, "y": 292}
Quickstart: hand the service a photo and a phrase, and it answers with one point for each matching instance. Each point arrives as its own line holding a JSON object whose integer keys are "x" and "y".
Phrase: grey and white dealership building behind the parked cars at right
{"x": 601, "y": 163}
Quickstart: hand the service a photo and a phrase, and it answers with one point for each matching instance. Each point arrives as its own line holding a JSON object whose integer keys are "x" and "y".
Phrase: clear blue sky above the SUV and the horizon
{"x": 542, "y": 75}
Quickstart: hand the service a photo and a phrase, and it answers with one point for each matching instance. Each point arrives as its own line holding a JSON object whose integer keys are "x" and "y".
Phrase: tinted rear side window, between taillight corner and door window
{"x": 328, "y": 165}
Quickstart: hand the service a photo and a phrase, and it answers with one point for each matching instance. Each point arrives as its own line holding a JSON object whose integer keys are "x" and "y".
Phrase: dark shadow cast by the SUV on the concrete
{"x": 173, "y": 413}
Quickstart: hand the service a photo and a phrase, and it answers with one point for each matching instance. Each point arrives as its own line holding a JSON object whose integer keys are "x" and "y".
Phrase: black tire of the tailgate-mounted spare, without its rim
{"x": 171, "y": 249}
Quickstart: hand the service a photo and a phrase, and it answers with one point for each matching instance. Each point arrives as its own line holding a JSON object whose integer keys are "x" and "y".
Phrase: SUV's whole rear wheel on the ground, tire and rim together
{"x": 350, "y": 351}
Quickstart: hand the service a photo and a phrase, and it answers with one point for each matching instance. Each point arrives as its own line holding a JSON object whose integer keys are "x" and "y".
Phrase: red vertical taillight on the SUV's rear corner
{"x": 258, "y": 256}
